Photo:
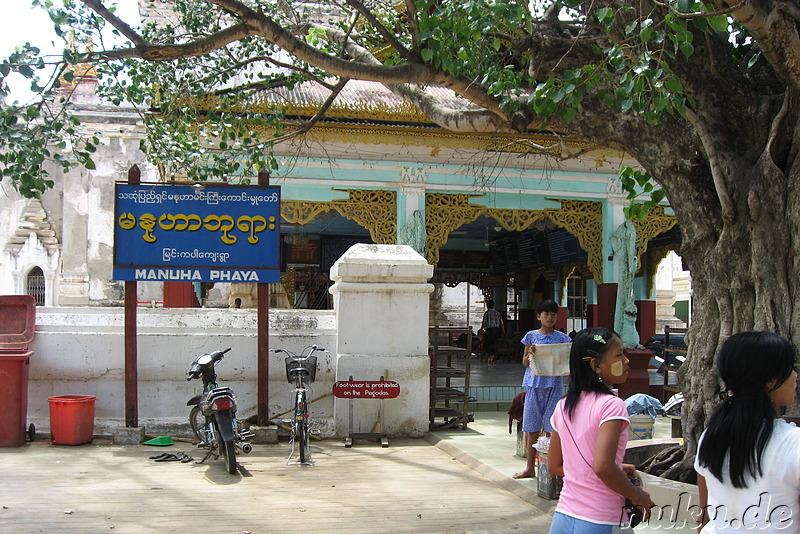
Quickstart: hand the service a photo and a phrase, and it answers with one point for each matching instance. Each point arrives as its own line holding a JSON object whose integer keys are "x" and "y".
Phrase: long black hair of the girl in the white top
{"x": 740, "y": 428}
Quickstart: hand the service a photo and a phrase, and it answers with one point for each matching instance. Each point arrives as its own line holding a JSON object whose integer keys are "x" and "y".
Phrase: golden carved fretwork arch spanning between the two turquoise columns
{"x": 584, "y": 219}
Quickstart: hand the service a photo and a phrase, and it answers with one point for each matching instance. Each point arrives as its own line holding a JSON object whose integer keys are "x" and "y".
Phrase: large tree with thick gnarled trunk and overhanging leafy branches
{"x": 703, "y": 94}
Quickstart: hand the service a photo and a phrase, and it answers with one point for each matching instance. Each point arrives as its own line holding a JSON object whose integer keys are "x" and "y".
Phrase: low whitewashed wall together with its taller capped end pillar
{"x": 379, "y": 328}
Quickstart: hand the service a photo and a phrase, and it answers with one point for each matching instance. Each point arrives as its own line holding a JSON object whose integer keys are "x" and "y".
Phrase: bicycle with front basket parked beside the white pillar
{"x": 301, "y": 371}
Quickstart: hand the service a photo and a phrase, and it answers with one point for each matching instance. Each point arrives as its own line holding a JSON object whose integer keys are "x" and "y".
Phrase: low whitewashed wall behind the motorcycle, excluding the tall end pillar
{"x": 81, "y": 351}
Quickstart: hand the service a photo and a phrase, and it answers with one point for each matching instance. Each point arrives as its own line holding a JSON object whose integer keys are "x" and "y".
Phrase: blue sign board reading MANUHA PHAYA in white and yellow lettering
{"x": 213, "y": 233}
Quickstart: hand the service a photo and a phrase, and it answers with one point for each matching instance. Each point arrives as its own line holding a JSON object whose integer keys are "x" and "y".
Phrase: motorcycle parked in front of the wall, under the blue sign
{"x": 213, "y": 415}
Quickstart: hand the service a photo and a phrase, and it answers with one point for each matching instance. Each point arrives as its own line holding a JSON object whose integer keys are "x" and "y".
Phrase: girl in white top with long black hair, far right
{"x": 748, "y": 462}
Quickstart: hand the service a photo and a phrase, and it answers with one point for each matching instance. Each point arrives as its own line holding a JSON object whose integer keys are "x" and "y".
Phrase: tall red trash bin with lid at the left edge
{"x": 17, "y": 323}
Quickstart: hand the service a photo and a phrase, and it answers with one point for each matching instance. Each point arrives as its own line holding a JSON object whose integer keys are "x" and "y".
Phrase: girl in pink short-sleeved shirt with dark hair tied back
{"x": 589, "y": 438}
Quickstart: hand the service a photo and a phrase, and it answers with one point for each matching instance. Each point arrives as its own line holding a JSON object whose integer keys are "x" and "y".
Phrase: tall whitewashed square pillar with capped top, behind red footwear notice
{"x": 380, "y": 296}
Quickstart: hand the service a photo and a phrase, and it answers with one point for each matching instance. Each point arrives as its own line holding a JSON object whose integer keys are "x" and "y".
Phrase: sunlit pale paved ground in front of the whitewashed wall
{"x": 411, "y": 486}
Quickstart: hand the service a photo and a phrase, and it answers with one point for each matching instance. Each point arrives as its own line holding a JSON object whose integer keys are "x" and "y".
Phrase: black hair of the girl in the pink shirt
{"x": 588, "y": 343}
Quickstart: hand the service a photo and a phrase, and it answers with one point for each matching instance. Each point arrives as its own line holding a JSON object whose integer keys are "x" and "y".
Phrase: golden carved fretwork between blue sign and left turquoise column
{"x": 373, "y": 209}
